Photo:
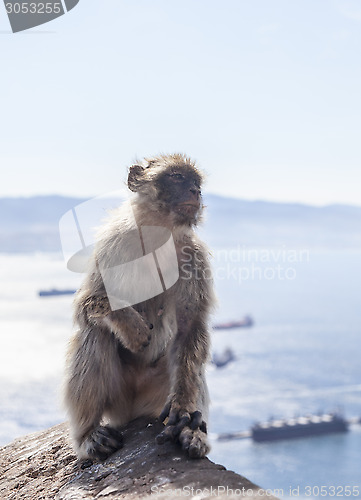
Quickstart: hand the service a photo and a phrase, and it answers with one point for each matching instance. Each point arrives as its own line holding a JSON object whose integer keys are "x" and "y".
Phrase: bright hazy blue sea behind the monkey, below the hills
{"x": 302, "y": 356}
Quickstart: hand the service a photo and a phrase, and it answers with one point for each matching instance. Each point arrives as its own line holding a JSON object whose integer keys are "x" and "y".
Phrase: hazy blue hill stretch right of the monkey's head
{"x": 261, "y": 223}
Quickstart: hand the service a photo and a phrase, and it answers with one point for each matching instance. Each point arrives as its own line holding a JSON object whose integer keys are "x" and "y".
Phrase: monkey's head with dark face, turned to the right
{"x": 169, "y": 185}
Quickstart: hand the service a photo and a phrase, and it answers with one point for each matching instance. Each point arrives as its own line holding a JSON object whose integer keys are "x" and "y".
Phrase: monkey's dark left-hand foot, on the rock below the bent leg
{"x": 102, "y": 443}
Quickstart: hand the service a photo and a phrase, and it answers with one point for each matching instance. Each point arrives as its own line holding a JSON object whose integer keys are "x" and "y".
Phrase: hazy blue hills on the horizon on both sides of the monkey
{"x": 31, "y": 224}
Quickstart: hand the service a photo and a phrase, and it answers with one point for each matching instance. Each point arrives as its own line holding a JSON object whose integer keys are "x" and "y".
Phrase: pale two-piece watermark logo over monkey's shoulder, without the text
{"x": 152, "y": 269}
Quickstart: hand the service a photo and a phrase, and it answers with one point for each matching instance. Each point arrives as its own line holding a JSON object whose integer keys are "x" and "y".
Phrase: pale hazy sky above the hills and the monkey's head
{"x": 265, "y": 94}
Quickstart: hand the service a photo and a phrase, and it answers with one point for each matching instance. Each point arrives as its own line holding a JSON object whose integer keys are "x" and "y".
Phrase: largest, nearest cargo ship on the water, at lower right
{"x": 312, "y": 425}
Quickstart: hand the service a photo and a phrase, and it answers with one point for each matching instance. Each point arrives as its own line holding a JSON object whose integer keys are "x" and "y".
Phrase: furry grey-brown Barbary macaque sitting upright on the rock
{"x": 142, "y": 313}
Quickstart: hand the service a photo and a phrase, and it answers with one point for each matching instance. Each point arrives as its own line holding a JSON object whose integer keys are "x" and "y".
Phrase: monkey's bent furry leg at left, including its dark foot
{"x": 94, "y": 383}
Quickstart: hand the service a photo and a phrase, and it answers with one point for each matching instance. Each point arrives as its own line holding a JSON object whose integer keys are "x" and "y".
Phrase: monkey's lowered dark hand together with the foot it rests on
{"x": 189, "y": 429}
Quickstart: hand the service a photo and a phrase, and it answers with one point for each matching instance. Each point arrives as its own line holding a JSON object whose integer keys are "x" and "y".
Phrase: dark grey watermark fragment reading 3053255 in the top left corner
{"x": 24, "y": 15}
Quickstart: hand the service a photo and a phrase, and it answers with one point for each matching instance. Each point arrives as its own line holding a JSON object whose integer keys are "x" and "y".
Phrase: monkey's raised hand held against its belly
{"x": 132, "y": 329}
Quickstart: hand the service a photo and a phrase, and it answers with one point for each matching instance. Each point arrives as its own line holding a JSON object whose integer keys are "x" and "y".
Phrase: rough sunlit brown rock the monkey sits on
{"x": 43, "y": 466}
